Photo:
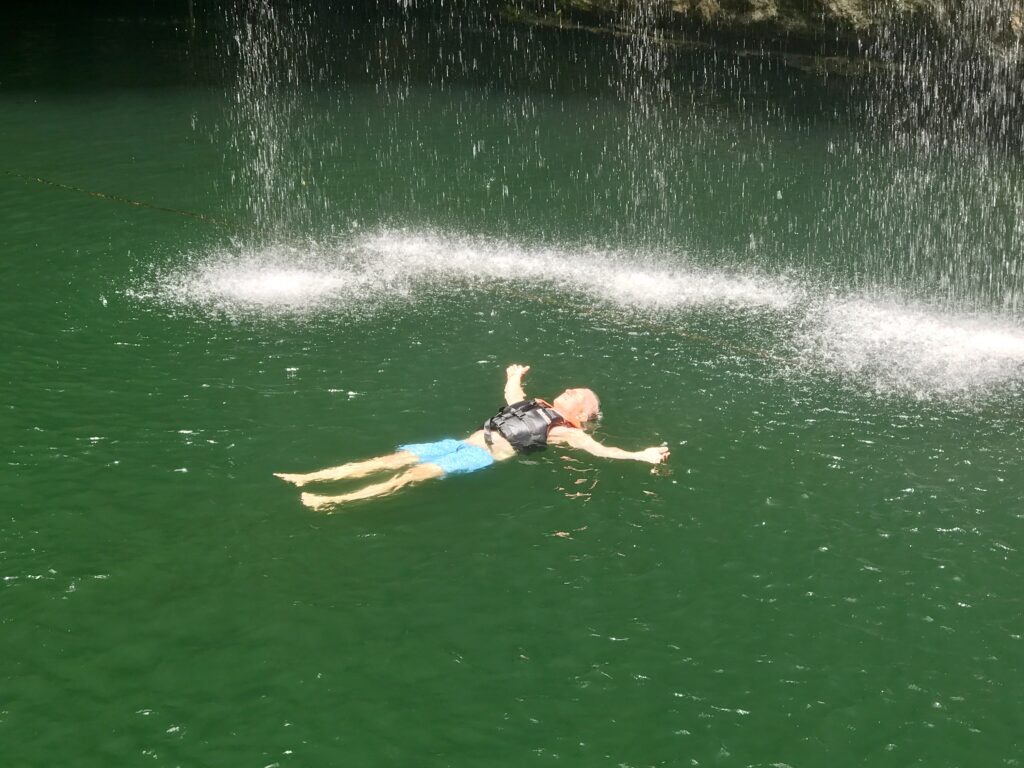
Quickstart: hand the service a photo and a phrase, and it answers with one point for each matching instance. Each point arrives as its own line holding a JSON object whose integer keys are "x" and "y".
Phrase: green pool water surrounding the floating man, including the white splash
{"x": 826, "y": 573}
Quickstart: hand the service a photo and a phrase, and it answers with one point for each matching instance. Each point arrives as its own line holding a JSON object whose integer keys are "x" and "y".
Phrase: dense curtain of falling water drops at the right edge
{"x": 949, "y": 118}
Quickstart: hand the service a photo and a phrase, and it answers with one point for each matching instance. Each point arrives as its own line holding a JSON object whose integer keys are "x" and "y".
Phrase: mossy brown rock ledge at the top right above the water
{"x": 840, "y": 36}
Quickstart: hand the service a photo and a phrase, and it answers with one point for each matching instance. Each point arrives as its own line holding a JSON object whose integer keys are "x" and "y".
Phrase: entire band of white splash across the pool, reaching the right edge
{"x": 887, "y": 347}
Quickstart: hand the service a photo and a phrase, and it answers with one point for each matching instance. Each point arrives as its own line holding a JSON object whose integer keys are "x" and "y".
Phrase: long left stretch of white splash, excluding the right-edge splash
{"x": 368, "y": 272}
